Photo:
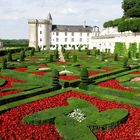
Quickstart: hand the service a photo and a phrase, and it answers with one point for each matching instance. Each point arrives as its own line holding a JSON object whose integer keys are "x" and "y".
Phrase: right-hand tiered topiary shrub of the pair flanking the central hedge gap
{"x": 84, "y": 79}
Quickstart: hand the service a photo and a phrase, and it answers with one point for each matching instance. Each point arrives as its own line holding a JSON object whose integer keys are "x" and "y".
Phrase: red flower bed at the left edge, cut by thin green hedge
{"x": 9, "y": 85}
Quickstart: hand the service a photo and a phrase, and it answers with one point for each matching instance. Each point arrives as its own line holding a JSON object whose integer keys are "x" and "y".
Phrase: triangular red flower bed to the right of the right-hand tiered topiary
{"x": 114, "y": 84}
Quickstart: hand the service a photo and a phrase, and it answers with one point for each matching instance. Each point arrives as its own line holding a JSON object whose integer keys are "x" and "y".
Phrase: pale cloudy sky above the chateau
{"x": 14, "y": 14}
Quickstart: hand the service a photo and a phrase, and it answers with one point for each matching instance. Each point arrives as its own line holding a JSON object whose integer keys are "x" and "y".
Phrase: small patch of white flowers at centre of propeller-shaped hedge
{"x": 78, "y": 115}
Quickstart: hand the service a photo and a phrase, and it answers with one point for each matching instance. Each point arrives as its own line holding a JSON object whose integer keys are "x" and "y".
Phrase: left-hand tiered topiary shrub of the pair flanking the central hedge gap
{"x": 55, "y": 78}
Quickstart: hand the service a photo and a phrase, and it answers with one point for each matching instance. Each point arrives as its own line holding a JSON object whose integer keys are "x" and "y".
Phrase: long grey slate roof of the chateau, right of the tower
{"x": 71, "y": 28}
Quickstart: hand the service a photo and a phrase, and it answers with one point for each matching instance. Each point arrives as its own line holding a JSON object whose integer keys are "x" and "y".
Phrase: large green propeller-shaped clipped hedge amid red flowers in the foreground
{"x": 66, "y": 125}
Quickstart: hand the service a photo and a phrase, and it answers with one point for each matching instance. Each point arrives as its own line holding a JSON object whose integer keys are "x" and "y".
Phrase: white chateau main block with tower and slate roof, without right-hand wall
{"x": 44, "y": 34}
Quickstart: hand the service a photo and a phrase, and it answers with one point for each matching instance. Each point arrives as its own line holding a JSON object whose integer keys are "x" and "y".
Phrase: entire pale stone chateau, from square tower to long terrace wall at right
{"x": 44, "y": 34}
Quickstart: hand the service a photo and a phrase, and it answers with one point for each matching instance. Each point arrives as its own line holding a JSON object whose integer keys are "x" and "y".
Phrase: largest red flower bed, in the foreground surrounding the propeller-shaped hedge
{"x": 13, "y": 127}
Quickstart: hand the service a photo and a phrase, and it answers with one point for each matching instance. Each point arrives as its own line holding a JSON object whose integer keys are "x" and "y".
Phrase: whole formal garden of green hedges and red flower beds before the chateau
{"x": 90, "y": 95}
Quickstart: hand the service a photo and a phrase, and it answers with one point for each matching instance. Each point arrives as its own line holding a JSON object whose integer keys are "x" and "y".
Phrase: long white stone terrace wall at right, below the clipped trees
{"x": 108, "y": 37}
